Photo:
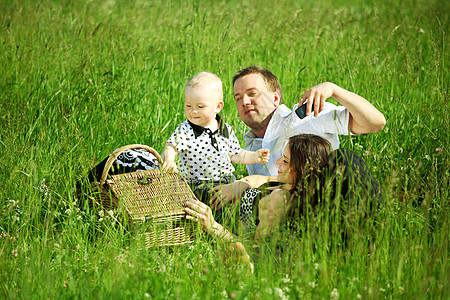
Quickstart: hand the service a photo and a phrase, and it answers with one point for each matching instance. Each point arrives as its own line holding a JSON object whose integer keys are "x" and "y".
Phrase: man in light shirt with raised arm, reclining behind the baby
{"x": 259, "y": 101}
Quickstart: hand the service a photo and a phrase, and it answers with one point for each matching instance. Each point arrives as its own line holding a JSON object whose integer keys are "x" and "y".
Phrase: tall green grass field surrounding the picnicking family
{"x": 82, "y": 78}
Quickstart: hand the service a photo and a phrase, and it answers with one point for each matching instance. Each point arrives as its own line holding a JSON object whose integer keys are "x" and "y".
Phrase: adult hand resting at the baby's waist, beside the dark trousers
{"x": 223, "y": 194}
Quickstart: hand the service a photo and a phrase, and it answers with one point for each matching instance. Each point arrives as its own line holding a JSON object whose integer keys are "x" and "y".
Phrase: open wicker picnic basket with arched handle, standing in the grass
{"x": 150, "y": 197}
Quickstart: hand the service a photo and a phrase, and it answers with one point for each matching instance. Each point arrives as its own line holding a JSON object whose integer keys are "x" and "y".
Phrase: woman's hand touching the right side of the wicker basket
{"x": 198, "y": 211}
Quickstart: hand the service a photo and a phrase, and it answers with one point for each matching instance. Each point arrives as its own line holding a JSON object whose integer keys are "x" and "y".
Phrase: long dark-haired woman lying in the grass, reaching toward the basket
{"x": 305, "y": 169}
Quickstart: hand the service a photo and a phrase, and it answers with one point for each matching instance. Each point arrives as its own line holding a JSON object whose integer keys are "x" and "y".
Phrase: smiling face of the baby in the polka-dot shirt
{"x": 201, "y": 105}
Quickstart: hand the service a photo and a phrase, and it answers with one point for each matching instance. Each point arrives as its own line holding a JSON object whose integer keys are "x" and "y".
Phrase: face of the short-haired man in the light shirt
{"x": 254, "y": 101}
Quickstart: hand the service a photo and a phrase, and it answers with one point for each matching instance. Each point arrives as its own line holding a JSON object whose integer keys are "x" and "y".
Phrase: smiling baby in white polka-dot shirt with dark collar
{"x": 207, "y": 145}
